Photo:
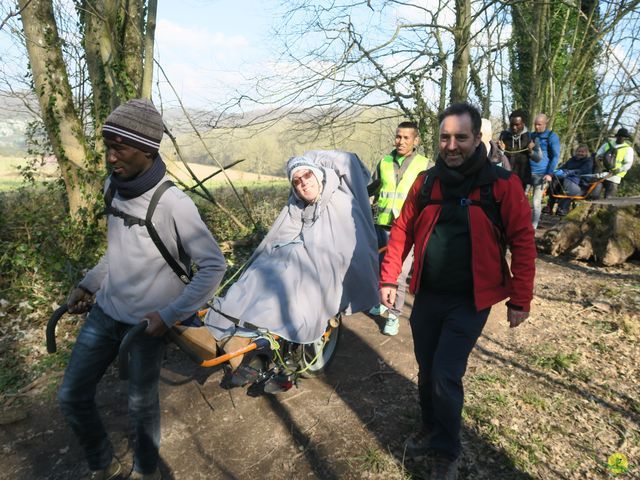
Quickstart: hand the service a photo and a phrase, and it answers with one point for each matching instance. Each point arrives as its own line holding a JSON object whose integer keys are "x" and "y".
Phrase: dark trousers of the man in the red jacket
{"x": 445, "y": 329}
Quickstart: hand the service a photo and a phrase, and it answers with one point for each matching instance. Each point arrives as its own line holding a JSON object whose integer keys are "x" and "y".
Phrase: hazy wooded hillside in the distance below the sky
{"x": 265, "y": 150}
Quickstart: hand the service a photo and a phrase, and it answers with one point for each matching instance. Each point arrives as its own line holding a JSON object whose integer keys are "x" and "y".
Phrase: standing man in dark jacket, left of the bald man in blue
{"x": 517, "y": 145}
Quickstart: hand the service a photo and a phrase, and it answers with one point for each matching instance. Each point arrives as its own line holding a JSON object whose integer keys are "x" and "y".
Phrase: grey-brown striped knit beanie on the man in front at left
{"x": 136, "y": 123}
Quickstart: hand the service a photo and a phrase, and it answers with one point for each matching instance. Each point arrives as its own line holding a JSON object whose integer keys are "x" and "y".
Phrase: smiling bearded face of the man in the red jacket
{"x": 457, "y": 140}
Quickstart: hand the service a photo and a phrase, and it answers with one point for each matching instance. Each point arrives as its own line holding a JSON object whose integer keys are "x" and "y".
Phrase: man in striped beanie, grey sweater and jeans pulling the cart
{"x": 132, "y": 283}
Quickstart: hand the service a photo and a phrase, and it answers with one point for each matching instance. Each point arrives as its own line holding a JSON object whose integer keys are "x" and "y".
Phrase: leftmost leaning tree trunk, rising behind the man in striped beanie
{"x": 52, "y": 87}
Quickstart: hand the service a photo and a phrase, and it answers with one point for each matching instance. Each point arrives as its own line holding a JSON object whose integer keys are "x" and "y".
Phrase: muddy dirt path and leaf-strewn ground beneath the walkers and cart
{"x": 552, "y": 399}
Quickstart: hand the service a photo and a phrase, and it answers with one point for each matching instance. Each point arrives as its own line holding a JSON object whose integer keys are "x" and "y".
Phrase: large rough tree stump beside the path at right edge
{"x": 607, "y": 231}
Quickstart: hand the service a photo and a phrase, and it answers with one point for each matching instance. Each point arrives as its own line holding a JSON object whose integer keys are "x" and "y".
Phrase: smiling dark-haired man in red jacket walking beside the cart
{"x": 460, "y": 271}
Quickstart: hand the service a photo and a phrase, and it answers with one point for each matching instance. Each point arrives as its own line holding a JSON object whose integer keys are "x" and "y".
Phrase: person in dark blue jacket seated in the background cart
{"x": 569, "y": 180}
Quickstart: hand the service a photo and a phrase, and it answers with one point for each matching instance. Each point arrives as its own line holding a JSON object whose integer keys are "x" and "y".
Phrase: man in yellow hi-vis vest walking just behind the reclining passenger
{"x": 392, "y": 180}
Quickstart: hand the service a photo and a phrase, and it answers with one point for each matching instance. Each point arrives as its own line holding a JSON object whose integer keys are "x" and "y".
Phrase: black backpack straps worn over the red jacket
{"x": 490, "y": 206}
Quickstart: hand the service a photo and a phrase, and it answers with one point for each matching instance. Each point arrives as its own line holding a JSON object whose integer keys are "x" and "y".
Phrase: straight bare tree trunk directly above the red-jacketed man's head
{"x": 460, "y": 66}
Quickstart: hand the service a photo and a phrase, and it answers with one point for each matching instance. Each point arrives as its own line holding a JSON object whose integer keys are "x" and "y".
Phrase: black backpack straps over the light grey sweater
{"x": 130, "y": 220}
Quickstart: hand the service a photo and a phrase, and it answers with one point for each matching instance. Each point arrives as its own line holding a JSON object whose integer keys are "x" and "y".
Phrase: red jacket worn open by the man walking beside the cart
{"x": 490, "y": 284}
